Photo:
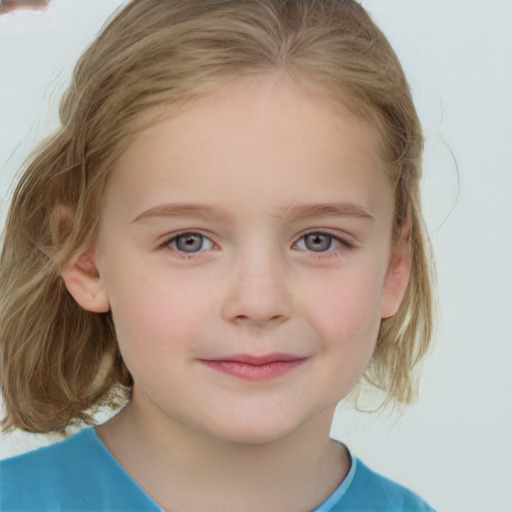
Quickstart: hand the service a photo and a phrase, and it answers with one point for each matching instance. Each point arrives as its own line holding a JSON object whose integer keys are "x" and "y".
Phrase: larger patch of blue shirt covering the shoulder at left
{"x": 77, "y": 474}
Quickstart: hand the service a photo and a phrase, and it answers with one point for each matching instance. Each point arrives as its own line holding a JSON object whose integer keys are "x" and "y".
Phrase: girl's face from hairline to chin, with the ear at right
{"x": 253, "y": 227}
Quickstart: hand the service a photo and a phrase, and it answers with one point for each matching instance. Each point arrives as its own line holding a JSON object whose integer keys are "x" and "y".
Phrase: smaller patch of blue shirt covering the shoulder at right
{"x": 372, "y": 492}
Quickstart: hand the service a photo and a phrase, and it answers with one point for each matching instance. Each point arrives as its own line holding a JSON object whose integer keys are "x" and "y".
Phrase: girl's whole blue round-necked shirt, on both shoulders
{"x": 80, "y": 474}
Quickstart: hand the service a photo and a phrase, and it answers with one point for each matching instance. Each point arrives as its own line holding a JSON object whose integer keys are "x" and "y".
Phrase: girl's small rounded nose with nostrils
{"x": 258, "y": 292}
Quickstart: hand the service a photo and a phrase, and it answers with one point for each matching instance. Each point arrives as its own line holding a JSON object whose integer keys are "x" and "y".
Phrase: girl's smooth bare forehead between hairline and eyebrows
{"x": 265, "y": 135}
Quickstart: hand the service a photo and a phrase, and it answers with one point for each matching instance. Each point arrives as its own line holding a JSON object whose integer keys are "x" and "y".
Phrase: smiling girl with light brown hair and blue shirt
{"x": 223, "y": 238}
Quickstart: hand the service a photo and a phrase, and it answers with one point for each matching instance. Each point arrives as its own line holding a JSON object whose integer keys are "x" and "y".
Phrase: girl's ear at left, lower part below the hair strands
{"x": 83, "y": 282}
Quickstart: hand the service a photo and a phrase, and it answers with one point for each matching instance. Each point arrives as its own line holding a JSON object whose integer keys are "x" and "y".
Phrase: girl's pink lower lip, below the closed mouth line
{"x": 255, "y": 372}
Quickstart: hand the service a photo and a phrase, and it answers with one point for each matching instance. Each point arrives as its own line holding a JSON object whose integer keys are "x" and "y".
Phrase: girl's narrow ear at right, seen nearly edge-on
{"x": 397, "y": 275}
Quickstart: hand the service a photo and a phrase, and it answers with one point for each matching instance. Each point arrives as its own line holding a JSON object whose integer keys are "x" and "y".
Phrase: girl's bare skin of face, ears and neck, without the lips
{"x": 252, "y": 168}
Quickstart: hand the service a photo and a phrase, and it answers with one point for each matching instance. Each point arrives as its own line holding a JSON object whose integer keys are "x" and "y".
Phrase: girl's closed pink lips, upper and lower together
{"x": 256, "y": 368}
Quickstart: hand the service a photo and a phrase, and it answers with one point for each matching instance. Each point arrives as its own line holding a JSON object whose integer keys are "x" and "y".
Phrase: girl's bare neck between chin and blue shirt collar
{"x": 296, "y": 472}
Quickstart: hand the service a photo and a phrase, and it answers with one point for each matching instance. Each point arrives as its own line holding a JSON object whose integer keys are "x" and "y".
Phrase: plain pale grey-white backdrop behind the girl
{"x": 454, "y": 445}
